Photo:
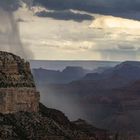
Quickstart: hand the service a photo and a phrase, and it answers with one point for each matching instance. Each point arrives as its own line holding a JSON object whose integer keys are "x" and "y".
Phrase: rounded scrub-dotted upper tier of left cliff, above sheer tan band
{"x": 14, "y": 71}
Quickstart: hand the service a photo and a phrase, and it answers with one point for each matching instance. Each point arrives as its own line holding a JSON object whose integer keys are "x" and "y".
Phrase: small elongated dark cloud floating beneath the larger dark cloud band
{"x": 65, "y": 15}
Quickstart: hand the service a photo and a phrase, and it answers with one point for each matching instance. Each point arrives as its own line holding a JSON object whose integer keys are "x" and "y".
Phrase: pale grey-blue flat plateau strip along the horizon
{"x": 61, "y": 64}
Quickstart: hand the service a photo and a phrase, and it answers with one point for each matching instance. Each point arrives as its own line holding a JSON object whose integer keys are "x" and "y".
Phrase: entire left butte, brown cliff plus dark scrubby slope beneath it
{"x": 23, "y": 117}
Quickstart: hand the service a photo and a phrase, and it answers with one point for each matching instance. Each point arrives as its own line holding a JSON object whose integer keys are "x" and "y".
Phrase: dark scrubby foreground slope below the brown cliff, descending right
{"x": 48, "y": 124}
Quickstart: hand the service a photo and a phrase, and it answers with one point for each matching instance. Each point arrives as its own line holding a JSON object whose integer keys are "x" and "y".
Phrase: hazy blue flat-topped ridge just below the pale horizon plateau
{"x": 69, "y": 74}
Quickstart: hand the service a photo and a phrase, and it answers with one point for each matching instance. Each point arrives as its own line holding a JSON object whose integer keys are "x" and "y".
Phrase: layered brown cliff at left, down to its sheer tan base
{"x": 17, "y": 88}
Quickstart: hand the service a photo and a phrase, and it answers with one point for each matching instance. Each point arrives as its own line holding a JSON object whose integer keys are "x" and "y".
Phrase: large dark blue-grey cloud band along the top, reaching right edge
{"x": 121, "y": 8}
